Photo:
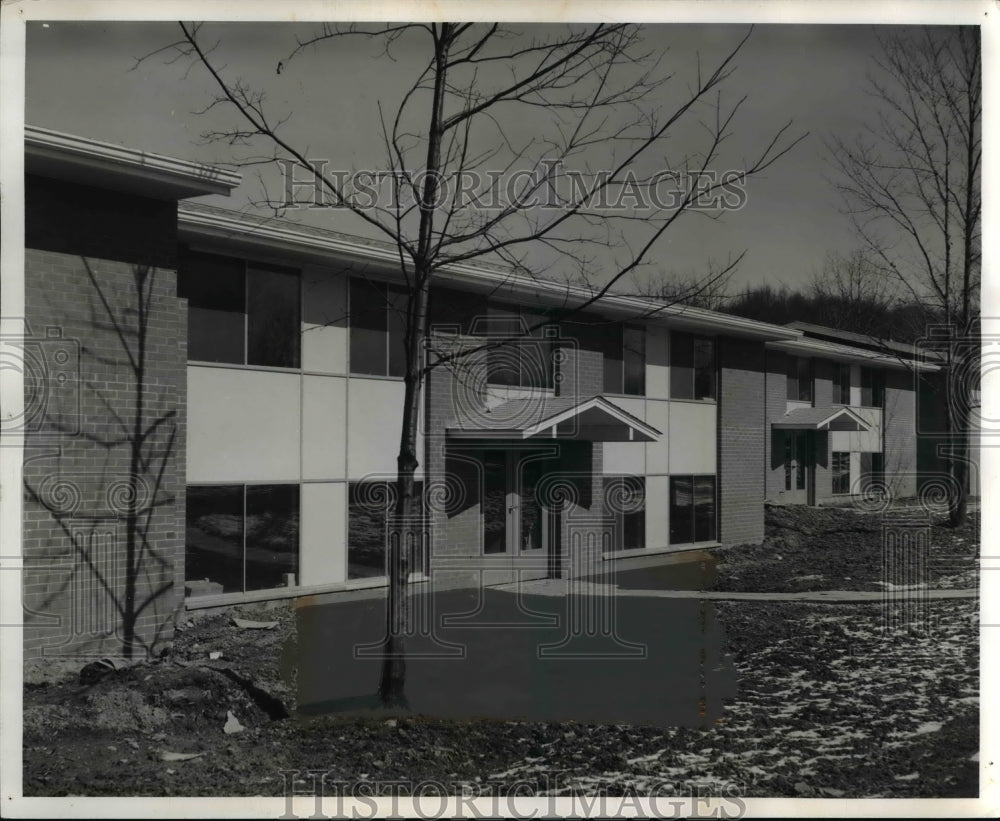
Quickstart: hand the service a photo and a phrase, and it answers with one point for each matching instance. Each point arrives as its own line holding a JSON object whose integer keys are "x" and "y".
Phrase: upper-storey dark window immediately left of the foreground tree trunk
{"x": 378, "y": 328}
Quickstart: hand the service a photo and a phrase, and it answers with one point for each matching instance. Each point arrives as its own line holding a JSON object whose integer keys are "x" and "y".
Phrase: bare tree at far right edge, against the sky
{"x": 911, "y": 183}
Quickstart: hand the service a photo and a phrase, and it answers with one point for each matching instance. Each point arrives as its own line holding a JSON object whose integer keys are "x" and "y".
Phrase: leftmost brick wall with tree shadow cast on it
{"x": 104, "y": 465}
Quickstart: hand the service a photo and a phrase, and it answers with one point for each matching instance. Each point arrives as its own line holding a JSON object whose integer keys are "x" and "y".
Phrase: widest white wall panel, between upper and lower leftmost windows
{"x": 243, "y": 425}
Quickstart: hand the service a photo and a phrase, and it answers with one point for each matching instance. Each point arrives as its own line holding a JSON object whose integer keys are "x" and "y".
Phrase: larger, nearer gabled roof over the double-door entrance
{"x": 544, "y": 417}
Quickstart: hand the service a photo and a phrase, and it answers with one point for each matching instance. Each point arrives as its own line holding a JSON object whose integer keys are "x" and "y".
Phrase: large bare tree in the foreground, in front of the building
{"x": 579, "y": 183}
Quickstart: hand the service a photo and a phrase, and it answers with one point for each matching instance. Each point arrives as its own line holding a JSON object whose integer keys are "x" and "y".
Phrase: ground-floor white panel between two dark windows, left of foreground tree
{"x": 324, "y": 551}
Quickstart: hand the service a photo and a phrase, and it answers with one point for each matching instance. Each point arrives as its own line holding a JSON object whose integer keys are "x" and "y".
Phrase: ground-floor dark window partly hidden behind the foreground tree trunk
{"x": 369, "y": 508}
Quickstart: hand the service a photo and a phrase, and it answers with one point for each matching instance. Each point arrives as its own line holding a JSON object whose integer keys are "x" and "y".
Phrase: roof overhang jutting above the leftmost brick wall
{"x": 103, "y": 165}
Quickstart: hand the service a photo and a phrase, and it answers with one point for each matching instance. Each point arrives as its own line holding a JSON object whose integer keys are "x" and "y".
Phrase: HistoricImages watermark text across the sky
{"x": 549, "y": 185}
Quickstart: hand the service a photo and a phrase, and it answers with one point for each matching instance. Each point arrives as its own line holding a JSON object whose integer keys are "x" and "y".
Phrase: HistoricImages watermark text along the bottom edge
{"x": 545, "y": 797}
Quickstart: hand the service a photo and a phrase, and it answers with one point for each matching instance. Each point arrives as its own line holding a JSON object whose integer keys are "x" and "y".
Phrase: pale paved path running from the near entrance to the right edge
{"x": 560, "y": 587}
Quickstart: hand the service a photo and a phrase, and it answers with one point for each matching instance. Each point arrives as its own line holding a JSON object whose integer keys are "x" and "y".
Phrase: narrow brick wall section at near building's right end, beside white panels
{"x": 742, "y": 440}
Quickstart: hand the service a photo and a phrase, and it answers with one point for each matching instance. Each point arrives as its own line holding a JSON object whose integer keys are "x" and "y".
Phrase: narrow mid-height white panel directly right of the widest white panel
{"x": 324, "y": 427}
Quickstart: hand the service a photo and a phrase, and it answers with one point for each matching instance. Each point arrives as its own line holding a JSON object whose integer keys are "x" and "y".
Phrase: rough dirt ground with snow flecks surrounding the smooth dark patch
{"x": 830, "y": 704}
